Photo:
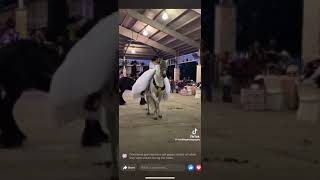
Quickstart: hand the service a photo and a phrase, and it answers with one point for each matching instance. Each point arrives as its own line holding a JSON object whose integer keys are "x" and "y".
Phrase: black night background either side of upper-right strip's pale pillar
{"x": 260, "y": 20}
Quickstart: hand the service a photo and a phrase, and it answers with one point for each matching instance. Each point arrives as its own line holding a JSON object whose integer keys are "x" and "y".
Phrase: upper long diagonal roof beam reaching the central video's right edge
{"x": 162, "y": 28}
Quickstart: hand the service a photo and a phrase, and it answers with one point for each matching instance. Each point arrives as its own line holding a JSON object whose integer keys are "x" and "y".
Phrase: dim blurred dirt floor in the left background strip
{"x": 50, "y": 153}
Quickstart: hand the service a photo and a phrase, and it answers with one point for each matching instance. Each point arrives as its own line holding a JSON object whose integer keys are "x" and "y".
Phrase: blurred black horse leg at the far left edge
{"x": 11, "y": 135}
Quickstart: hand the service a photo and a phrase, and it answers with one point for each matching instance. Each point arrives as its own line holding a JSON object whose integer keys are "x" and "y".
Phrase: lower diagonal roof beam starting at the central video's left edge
{"x": 139, "y": 38}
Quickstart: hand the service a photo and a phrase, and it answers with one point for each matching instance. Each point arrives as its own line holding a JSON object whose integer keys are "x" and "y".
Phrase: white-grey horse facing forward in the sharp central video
{"x": 157, "y": 90}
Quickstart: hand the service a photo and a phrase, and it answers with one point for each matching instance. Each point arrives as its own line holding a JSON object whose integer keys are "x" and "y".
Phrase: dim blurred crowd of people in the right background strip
{"x": 257, "y": 60}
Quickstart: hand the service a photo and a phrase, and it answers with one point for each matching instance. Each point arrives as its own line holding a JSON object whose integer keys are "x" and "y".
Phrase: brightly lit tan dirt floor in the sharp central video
{"x": 140, "y": 133}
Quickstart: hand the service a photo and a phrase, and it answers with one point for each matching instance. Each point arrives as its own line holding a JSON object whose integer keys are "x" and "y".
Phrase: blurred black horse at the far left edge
{"x": 24, "y": 65}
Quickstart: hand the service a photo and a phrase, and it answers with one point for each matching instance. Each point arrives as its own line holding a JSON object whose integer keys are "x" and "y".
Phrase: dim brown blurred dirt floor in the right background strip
{"x": 258, "y": 145}
